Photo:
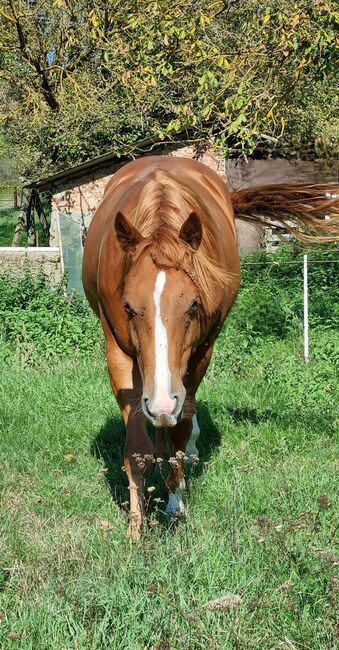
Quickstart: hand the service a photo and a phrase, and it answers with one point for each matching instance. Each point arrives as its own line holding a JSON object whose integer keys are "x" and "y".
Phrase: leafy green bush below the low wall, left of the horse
{"x": 37, "y": 321}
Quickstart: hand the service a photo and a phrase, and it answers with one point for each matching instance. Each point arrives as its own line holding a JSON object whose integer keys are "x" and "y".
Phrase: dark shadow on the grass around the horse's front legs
{"x": 109, "y": 443}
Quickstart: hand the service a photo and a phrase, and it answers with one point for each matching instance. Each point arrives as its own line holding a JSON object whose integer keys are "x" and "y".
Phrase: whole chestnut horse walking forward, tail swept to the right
{"x": 161, "y": 270}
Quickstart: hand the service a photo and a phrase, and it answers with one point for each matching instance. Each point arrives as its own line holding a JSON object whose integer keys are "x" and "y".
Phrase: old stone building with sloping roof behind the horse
{"x": 76, "y": 193}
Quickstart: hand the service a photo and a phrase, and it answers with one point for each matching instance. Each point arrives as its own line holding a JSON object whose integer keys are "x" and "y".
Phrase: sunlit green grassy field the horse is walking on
{"x": 262, "y": 505}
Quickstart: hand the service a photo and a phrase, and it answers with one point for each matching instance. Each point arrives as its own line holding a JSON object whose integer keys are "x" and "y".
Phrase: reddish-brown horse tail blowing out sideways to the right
{"x": 309, "y": 212}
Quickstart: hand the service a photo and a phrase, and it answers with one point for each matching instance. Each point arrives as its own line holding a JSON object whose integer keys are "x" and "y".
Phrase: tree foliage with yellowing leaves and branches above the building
{"x": 83, "y": 77}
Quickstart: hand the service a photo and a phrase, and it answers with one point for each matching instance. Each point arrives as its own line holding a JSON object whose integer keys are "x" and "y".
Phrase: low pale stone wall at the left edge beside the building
{"x": 37, "y": 259}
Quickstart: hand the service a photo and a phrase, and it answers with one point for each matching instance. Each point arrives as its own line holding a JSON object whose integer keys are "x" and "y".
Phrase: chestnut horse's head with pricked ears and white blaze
{"x": 164, "y": 313}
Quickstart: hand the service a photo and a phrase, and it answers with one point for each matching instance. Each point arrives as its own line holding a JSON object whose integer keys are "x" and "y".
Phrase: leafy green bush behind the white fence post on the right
{"x": 278, "y": 278}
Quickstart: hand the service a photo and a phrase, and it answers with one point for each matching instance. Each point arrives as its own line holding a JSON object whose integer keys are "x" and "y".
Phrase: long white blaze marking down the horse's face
{"x": 162, "y": 374}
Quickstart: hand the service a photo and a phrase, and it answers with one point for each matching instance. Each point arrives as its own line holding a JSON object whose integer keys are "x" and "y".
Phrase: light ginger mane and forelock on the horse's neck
{"x": 164, "y": 204}
